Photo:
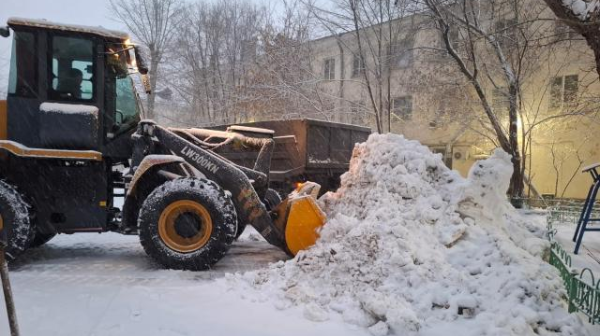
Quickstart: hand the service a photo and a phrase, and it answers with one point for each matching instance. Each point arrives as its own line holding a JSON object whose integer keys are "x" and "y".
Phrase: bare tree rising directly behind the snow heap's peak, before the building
{"x": 378, "y": 43}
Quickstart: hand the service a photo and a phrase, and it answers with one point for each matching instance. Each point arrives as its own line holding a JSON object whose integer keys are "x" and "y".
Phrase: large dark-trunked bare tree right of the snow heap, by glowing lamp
{"x": 490, "y": 52}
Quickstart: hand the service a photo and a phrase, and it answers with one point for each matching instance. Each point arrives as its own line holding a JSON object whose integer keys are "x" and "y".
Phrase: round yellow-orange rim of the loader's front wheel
{"x": 185, "y": 226}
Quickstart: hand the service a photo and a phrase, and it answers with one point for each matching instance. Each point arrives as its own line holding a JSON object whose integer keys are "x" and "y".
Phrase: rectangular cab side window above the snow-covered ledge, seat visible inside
{"x": 72, "y": 69}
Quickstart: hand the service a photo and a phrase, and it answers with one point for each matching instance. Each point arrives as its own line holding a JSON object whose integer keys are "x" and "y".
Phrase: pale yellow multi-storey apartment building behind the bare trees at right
{"x": 429, "y": 99}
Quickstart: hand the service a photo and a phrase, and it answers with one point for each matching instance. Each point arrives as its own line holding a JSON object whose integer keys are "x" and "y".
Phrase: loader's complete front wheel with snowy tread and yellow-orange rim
{"x": 187, "y": 223}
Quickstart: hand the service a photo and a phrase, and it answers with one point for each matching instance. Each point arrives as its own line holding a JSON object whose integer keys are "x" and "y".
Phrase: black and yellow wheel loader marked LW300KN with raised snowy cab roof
{"x": 71, "y": 137}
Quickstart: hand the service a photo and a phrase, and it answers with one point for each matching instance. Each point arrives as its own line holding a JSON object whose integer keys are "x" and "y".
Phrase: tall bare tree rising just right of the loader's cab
{"x": 153, "y": 23}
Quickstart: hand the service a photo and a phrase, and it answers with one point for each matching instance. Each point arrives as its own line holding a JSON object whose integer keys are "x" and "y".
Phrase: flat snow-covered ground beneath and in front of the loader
{"x": 90, "y": 284}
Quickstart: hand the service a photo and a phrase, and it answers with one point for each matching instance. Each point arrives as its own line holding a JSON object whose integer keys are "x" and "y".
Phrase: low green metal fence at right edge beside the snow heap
{"x": 583, "y": 290}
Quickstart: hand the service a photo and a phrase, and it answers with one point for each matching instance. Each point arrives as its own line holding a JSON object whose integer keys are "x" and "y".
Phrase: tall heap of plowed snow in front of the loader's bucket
{"x": 412, "y": 248}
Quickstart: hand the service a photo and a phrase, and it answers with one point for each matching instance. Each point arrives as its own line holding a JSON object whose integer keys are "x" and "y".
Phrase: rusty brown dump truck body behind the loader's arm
{"x": 305, "y": 150}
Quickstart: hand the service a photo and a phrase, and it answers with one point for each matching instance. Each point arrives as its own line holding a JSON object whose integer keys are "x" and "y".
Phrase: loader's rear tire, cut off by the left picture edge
{"x": 16, "y": 231}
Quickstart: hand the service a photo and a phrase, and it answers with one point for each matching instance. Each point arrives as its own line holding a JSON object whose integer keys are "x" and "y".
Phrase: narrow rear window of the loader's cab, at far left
{"x": 23, "y": 66}
